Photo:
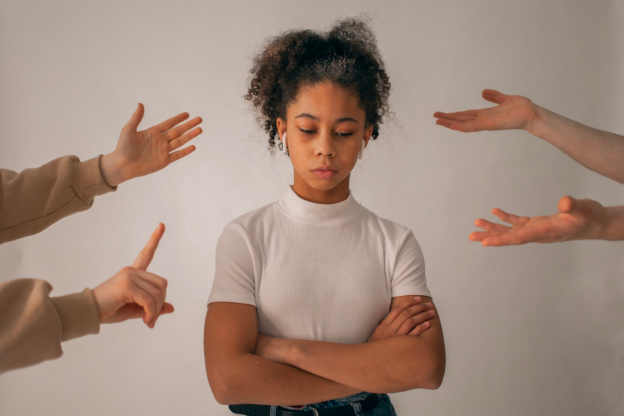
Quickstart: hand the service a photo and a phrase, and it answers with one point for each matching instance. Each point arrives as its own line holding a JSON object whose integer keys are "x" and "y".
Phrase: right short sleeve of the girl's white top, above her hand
{"x": 408, "y": 277}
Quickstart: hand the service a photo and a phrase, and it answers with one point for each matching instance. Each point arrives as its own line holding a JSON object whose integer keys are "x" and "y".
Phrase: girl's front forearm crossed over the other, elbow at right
{"x": 389, "y": 365}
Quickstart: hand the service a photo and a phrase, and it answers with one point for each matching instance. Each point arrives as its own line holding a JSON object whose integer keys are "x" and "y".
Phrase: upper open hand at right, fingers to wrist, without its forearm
{"x": 512, "y": 112}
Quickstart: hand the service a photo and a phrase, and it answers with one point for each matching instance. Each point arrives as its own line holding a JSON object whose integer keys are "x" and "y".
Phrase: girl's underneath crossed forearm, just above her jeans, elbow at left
{"x": 252, "y": 379}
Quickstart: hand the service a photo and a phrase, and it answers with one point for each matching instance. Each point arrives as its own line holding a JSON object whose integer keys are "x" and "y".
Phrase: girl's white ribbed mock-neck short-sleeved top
{"x": 316, "y": 271}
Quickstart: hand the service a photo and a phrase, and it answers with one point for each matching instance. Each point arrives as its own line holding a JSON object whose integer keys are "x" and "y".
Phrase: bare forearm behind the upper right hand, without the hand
{"x": 598, "y": 150}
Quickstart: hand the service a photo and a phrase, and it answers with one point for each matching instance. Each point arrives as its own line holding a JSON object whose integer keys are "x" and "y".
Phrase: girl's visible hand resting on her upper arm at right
{"x": 407, "y": 318}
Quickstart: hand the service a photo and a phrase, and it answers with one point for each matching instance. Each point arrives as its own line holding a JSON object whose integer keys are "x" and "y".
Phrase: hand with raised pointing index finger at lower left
{"x": 133, "y": 292}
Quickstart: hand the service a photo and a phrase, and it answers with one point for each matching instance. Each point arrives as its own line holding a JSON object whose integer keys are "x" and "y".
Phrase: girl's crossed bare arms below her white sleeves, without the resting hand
{"x": 246, "y": 367}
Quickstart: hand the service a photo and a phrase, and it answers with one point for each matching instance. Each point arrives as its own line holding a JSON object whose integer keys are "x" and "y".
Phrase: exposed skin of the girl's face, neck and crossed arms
{"x": 406, "y": 350}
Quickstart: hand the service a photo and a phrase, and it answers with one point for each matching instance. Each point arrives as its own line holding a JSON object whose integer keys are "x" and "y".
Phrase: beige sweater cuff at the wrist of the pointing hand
{"x": 79, "y": 314}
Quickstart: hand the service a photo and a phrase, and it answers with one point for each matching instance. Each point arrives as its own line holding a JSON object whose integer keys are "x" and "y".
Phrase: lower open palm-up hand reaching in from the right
{"x": 577, "y": 219}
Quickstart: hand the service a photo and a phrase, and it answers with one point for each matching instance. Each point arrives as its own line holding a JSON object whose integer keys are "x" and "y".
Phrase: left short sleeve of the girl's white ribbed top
{"x": 234, "y": 274}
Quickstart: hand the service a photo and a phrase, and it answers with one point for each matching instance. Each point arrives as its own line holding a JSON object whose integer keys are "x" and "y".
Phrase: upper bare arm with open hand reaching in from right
{"x": 598, "y": 150}
